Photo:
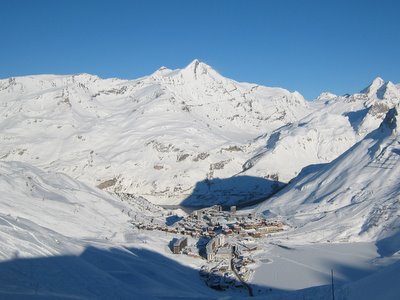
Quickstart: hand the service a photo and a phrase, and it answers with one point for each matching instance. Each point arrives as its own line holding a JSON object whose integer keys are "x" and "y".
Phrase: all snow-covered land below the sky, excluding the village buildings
{"x": 73, "y": 146}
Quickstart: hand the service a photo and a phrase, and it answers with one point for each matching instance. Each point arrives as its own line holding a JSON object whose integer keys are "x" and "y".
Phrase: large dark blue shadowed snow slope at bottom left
{"x": 116, "y": 273}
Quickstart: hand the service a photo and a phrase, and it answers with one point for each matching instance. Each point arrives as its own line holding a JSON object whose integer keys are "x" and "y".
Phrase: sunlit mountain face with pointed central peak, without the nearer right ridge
{"x": 156, "y": 136}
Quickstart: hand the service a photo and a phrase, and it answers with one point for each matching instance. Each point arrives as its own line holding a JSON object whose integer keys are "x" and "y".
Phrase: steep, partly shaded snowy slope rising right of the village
{"x": 356, "y": 197}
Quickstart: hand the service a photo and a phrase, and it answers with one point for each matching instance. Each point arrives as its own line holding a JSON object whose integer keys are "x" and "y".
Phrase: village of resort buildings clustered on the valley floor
{"x": 229, "y": 239}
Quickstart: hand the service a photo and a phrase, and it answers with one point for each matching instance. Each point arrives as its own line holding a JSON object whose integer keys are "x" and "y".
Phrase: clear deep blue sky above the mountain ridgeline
{"x": 309, "y": 46}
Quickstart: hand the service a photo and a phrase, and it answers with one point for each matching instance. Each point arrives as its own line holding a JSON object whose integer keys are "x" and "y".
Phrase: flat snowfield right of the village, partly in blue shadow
{"x": 290, "y": 271}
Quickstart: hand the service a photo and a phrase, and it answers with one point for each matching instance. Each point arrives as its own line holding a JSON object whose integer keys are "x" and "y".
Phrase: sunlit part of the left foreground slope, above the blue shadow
{"x": 55, "y": 206}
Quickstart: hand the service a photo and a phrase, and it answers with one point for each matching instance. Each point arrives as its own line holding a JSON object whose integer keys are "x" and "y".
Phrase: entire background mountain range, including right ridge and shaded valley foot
{"x": 186, "y": 136}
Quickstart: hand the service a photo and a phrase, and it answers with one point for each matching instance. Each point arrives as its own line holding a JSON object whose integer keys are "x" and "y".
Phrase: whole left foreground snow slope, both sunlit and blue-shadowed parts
{"x": 60, "y": 239}
